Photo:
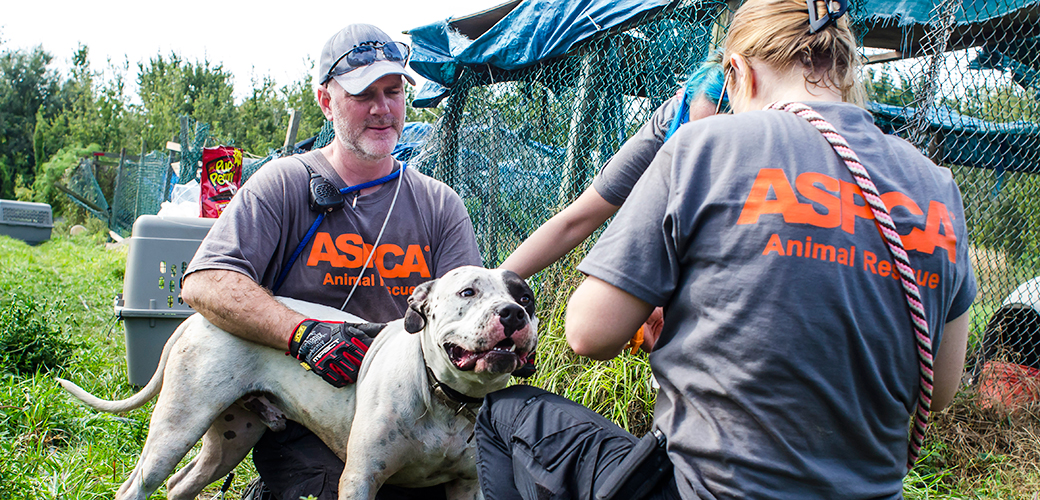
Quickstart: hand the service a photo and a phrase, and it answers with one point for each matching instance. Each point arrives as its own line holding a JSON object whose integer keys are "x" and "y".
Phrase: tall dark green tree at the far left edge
{"x": 28, "y": 88}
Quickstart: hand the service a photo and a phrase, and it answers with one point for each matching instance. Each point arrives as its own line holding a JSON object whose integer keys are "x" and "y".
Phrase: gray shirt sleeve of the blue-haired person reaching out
{"x": 615, "y": 181}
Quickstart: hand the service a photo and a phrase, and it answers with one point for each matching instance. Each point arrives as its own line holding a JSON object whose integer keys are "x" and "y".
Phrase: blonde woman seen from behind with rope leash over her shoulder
{"x": 788, "y": 363}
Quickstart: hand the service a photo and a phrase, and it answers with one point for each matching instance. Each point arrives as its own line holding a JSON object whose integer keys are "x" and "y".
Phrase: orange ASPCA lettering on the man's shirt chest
{"x": 351, "y": 252}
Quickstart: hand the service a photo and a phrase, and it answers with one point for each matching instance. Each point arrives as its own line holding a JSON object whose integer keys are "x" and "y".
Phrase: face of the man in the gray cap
{"x": 370, "y": 124}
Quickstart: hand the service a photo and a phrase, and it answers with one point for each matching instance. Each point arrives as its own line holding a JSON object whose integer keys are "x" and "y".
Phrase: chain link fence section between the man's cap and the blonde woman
{"x": 518, "y": 146}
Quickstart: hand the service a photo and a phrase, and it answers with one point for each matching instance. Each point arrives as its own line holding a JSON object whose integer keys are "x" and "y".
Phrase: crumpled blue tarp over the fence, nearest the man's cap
{"x": 535, "y": 31}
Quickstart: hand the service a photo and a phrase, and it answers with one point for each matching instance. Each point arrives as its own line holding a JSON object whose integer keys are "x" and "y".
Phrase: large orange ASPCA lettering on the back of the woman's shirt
{"x": 838, "y": 198}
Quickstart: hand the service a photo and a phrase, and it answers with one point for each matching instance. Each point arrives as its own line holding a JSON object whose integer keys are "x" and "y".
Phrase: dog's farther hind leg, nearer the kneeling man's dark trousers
{"x": 225, "y": 444}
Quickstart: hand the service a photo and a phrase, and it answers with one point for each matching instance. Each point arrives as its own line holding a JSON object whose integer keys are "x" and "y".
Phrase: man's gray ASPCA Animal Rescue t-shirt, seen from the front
{"x": 429, "y": 234}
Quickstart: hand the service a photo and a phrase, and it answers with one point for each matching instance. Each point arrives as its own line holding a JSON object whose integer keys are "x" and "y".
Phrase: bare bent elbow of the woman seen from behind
{"x": 602, "y": 319}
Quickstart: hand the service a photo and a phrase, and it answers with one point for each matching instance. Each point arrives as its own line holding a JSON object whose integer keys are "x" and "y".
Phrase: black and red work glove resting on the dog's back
{"x": 333, "y": 350}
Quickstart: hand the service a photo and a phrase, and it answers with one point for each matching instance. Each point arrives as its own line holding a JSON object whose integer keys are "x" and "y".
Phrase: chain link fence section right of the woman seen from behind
{"x": 969, "y": 99}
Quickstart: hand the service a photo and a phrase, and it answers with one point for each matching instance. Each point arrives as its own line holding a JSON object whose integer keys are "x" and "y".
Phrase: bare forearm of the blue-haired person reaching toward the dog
{"x": 561, "y": 234}
